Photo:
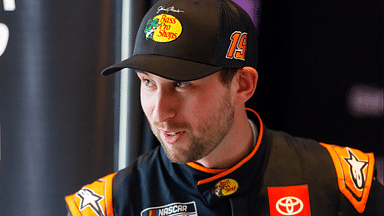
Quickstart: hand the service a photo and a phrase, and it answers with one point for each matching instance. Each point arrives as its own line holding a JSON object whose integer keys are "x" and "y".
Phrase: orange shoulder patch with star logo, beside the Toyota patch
{"x": 354, "y": 171}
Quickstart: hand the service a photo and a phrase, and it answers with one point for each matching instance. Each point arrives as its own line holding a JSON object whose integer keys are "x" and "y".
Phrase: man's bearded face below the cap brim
{"x": 190, "y": 119}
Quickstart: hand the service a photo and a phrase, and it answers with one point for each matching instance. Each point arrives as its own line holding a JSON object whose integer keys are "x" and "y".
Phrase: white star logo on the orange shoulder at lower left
{"x": 90, "y": 198}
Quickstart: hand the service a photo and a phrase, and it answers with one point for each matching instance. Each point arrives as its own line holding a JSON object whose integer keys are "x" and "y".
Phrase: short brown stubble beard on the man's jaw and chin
{"x": 206, "y": 137}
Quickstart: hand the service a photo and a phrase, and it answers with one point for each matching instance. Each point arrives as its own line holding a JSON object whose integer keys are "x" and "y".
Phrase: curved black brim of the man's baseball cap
{"x": 165, "y": 66}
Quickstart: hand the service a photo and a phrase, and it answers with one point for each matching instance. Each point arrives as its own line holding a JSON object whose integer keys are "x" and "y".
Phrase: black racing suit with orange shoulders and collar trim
{"x": 283, "y": 175}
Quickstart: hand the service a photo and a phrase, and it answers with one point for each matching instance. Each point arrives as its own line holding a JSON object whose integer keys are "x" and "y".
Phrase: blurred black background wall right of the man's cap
{"x": 321, "y": 70}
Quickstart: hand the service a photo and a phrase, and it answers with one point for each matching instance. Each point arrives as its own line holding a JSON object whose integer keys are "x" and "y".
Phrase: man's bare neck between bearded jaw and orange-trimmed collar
{"x": 235, "y": 146}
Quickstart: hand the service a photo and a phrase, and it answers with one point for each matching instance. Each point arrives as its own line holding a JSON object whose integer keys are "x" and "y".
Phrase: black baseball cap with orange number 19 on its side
{"x": 186, "y": 40}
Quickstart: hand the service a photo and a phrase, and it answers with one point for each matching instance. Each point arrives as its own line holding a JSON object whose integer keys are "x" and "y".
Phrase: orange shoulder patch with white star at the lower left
{"x": 93, "y": 200}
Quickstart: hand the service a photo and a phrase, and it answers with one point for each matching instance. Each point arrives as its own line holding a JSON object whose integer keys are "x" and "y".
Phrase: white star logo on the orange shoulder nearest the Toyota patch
{"x": 356, "y": 167}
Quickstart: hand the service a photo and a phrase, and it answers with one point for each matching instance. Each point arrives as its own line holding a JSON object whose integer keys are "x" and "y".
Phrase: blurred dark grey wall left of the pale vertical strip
{"x": 56, "y": 111}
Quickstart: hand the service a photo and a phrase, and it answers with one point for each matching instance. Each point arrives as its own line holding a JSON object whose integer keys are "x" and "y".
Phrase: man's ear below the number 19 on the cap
{"x": 244, "y": 84}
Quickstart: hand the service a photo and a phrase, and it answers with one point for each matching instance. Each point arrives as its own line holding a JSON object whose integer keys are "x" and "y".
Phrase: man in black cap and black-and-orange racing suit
{"x": 195, "y": 60}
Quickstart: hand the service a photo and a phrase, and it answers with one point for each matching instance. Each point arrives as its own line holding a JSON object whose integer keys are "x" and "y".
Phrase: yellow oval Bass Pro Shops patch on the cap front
{"x": 163, "y": 28}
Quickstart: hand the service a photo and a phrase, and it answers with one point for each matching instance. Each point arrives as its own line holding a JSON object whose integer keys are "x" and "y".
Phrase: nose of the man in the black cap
{"x": 165, "y": 106}
